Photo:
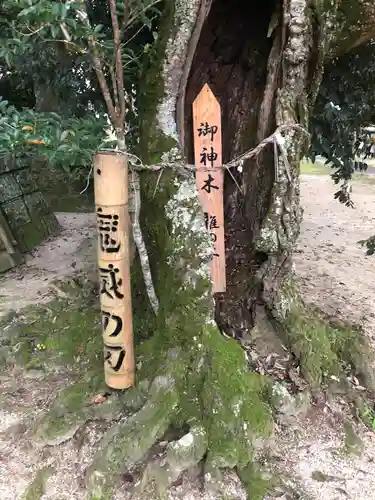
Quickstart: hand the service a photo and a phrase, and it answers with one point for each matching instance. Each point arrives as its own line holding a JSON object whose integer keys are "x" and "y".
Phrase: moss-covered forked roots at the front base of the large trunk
{"x": 221, "y": 406}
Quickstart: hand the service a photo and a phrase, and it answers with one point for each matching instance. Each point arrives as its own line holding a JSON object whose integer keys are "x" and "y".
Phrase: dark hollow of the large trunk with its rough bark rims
{"x": 264, "y": 78}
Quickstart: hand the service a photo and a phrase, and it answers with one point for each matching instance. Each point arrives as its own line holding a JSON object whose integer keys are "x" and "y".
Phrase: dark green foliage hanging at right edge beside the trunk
{"x": 345, "y": 104}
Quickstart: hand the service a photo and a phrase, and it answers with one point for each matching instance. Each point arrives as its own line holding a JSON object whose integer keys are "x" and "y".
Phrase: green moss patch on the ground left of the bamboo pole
{"x": 64, "y": 332}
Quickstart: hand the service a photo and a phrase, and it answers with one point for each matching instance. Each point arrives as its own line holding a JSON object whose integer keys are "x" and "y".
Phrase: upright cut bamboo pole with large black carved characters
{"x": 111, "y": 203}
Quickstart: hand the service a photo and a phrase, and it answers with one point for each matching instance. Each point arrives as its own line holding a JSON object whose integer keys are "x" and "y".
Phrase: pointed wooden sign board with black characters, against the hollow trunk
{"x": 210, "y": 177}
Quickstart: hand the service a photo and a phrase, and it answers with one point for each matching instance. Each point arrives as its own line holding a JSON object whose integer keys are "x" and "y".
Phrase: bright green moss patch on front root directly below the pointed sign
{"x": 234, "y": 402}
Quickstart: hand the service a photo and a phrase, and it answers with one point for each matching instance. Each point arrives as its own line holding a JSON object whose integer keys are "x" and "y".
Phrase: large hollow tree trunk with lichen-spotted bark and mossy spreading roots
{"x": 264, "y": 64}
